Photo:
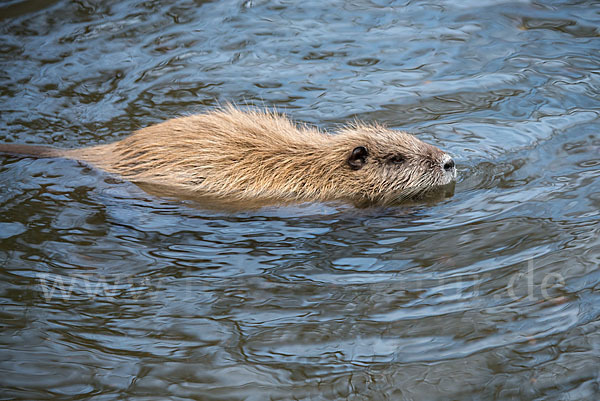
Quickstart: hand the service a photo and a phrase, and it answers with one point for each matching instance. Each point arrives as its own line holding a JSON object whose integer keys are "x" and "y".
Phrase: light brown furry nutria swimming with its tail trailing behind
{"x": 246, "y": 155}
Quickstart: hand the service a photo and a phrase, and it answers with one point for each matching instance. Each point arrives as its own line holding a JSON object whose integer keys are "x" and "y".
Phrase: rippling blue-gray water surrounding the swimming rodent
{"x": 108, "y": 292}
